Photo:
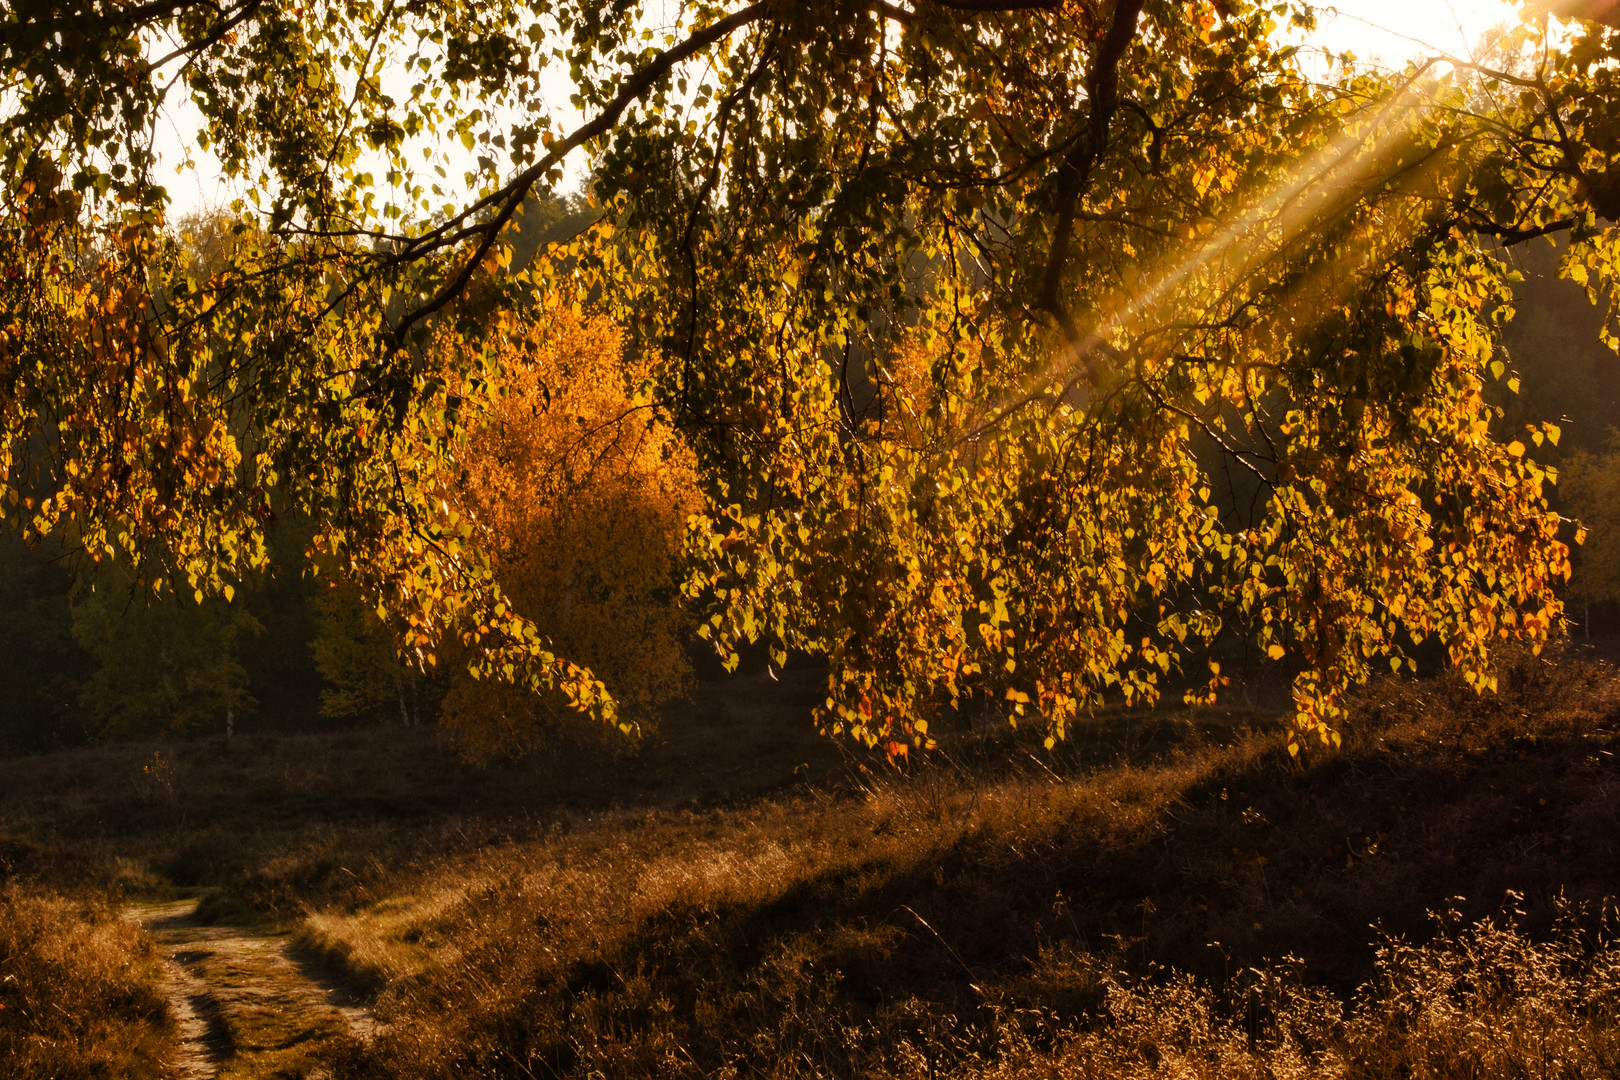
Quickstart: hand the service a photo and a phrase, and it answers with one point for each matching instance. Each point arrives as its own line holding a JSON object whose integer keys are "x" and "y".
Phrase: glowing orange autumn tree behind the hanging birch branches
{"x": 582, "y": 500}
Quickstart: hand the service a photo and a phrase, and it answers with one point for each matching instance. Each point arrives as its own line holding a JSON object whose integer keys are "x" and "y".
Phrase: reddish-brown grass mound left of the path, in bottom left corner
{"x": 79, "y": 992}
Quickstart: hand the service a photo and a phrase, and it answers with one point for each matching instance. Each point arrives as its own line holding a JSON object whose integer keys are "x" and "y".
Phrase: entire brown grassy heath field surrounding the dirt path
{"x": 1169, "y": 895}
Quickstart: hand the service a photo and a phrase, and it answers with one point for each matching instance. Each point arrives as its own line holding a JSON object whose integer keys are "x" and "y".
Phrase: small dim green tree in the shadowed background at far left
{"x": 166, "y": 668}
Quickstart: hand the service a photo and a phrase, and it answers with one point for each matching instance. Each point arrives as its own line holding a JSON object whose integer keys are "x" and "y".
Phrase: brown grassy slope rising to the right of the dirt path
{"x": 1169, "y": 898}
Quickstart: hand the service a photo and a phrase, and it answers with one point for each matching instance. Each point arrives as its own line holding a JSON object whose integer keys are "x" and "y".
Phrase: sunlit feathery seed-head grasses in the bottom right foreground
{"x": 1475, "y": 1003}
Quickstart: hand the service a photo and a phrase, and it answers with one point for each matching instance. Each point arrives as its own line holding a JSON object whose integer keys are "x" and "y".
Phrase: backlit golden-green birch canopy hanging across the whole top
{"x": 1025, "y": 351}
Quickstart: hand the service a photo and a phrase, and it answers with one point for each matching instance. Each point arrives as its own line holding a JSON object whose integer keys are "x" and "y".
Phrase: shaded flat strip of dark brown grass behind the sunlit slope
{"x": 291, "y": 822}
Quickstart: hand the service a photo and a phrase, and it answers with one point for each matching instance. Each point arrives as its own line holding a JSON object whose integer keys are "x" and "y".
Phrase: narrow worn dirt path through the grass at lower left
{"x": 249, "y": 1003}
